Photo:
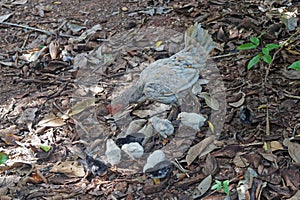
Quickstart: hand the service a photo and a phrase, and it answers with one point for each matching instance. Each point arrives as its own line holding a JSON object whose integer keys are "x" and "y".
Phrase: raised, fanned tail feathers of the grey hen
{"x": 198, "y": 40}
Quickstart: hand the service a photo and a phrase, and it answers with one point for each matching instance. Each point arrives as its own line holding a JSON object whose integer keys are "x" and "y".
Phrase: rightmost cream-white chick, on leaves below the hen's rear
{"x": 192, "y": 120}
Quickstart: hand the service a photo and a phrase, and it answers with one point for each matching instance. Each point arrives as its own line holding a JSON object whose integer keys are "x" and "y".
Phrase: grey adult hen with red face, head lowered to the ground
{"x": 165, "y": 80}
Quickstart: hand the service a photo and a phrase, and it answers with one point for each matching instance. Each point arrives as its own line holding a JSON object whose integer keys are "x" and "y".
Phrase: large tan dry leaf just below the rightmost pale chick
{"x": 200, "y": 148}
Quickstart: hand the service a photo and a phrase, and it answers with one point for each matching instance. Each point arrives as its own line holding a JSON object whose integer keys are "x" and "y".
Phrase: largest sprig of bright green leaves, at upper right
{"x": 263, "y": 55}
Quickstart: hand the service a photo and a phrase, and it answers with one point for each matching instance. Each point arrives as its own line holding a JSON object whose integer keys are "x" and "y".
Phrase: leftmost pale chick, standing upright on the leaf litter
{"x": 113, "y": 152}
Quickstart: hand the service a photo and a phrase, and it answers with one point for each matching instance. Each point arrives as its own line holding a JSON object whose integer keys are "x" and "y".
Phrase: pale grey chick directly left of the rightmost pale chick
{"x": 163, "y": 126}
